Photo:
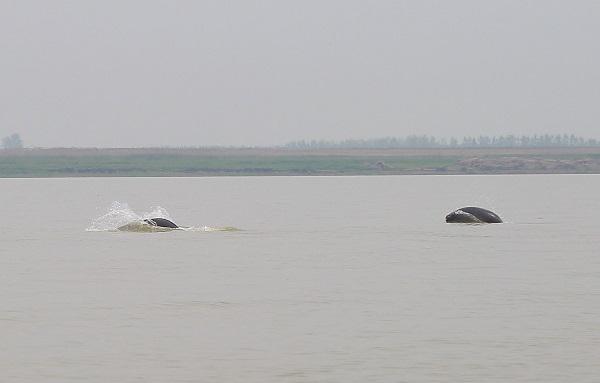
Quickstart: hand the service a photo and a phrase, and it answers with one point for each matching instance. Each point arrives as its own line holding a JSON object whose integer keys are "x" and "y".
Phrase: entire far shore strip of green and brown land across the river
{"x": 286, "y": 161}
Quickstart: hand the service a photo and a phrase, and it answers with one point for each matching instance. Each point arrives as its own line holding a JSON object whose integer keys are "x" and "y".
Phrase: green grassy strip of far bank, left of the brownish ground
{"x": 182, "y": 165}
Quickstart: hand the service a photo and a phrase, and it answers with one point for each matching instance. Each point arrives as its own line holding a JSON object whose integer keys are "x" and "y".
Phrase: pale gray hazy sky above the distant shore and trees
{"x": 170, "y": 73}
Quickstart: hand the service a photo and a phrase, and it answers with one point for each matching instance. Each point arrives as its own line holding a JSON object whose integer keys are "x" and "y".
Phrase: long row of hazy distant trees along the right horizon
{"x": 424, "y": 141}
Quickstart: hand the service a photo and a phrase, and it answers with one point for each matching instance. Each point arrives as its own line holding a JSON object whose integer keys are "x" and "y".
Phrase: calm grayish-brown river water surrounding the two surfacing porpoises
{"x": 332, "y": 279}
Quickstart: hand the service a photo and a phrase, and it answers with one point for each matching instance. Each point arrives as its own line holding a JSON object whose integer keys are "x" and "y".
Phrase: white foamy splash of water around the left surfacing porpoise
{"x": 120, "y": 214}
